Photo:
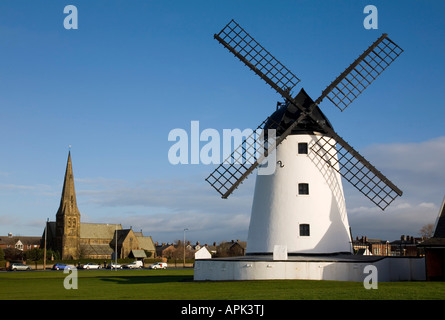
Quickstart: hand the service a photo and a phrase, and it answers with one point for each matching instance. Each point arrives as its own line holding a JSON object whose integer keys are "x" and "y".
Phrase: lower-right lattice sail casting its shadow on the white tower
{"x": 369, "y": 182}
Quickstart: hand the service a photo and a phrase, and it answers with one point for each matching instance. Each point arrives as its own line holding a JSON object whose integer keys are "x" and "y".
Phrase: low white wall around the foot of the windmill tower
{"x": 335, "y": 268}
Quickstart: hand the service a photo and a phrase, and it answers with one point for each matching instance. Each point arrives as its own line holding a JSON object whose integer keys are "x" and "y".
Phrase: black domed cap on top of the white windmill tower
{"x": 288, "y": 113}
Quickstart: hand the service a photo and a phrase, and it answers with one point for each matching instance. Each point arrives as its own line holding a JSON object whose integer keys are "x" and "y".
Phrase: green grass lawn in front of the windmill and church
{"x": 178, "y": 284}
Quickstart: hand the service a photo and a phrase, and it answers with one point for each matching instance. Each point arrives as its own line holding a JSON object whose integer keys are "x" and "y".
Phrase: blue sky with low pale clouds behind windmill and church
{"x": 134, "y": 70}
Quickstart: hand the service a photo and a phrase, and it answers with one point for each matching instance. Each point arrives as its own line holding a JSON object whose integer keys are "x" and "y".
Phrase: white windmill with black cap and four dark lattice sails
{"x": 301, "y": 205}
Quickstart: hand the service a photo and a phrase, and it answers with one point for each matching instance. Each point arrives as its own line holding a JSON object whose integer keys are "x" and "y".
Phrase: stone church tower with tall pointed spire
{"x": 68, "y": 218}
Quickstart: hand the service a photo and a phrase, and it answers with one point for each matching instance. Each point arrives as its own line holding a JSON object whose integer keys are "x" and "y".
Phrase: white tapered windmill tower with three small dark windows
{"x": 279, "y": 210}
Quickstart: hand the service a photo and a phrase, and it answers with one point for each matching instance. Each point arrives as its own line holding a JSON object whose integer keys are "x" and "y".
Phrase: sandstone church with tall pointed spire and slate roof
{"x": 74, "y": 239}
